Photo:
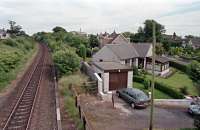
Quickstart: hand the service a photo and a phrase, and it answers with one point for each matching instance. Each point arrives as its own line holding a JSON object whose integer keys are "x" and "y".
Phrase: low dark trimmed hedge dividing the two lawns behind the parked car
{"x": 162, "y": 87}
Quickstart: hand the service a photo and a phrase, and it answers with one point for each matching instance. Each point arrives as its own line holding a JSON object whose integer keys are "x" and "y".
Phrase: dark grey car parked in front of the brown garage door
{"x": 135, "y": 97}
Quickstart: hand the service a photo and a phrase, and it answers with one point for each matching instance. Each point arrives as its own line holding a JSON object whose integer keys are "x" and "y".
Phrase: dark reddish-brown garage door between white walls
{"x": 117, "y": 80}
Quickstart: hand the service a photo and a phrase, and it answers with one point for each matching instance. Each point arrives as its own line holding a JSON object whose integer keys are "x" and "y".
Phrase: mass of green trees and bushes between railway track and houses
{"x": 68, "y": 49}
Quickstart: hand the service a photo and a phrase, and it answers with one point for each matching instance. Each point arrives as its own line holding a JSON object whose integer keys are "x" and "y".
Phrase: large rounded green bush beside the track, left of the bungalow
{"x": 66, "y": 61}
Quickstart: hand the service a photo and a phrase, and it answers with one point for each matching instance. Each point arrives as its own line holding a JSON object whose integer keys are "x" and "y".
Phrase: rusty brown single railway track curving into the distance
{"x": 20, "y": 116}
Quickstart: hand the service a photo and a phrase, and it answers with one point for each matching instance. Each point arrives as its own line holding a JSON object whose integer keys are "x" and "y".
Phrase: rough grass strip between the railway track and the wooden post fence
{"x": 77, "y": 80}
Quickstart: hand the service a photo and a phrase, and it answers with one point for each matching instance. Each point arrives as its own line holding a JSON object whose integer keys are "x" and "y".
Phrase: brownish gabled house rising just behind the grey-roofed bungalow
{"x": 112, "y": 38}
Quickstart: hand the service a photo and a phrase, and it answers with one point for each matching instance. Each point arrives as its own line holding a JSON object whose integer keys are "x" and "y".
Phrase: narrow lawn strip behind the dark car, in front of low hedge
{"x": 157, "y": 94}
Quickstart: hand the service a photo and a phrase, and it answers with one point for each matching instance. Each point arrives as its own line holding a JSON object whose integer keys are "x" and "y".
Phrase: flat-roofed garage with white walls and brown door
{"x": 113, "y": 76}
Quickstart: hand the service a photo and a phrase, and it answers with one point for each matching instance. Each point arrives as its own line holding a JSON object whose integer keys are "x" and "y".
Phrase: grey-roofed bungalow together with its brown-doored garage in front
{"x": 114, "y": 62}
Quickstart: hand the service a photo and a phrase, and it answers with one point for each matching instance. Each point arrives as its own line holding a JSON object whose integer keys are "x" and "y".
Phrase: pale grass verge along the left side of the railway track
{"x": 20, "y": 68}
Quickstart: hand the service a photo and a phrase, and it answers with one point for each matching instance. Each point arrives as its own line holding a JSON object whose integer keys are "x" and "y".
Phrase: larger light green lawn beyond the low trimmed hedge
{"x": 177, "y": 81}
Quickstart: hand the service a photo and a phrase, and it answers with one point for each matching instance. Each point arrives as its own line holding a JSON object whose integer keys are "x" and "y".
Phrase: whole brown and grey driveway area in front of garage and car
{"x": 102, "y": 116}
